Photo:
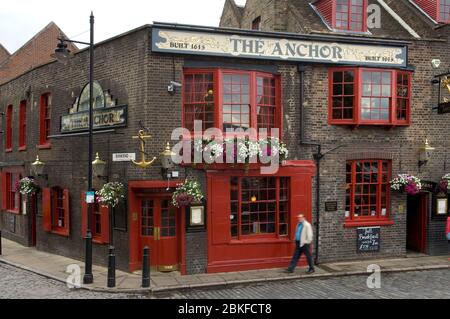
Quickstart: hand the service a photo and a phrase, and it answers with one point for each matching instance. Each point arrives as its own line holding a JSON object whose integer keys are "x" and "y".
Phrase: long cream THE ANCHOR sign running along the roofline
{"x": 195, "y": 41}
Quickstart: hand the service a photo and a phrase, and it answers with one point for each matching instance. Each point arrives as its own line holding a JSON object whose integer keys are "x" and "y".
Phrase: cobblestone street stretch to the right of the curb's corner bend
{"x": 409, "y": 285}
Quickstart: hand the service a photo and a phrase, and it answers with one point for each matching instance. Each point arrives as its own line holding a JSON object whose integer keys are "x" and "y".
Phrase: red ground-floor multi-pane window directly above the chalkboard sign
{"x": 365, "y": 204}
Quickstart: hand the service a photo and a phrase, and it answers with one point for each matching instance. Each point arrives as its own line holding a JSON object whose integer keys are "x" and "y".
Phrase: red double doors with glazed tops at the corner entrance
{"x": 159, "y": 231}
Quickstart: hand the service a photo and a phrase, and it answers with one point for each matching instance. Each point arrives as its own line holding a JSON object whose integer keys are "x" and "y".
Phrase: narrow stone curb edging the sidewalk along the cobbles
{"x": 226, "y": 284}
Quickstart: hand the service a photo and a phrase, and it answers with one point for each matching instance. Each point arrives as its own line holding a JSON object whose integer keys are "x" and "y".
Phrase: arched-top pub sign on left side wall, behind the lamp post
{"x": 107, "y": 114}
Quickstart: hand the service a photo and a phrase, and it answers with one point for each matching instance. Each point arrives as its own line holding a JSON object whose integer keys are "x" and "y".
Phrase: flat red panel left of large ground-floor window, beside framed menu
{"x": 219, "y": 197}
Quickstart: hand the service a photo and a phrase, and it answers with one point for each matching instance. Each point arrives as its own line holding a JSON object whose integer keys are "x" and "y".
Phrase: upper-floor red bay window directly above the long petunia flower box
{"x": 231, "y": 100}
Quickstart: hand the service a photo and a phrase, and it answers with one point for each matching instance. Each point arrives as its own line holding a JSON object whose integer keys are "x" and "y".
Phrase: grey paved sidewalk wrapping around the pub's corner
{"x": 54, "y": 266}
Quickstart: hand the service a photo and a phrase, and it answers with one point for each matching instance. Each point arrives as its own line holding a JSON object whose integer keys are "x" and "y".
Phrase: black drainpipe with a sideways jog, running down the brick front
{"x": 317, "y": 157}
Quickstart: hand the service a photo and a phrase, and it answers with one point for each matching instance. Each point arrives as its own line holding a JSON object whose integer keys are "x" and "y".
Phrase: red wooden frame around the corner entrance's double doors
{"x": 134, "y": 188}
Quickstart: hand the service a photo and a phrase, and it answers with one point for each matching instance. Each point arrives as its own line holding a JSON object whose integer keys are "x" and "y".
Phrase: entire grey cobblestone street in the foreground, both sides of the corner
{"x": 15, "y": 283}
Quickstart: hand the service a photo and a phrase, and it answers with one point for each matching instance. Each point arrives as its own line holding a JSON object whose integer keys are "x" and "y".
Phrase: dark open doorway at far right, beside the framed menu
{"x": 417, "y": 217}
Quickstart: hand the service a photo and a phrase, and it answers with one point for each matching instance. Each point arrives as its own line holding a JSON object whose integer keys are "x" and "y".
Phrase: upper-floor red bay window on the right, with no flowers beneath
{"x": 369, "y": 97}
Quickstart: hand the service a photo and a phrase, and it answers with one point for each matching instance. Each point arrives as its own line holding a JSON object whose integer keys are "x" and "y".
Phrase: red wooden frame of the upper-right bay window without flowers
{"x": 397, "y": 101}
